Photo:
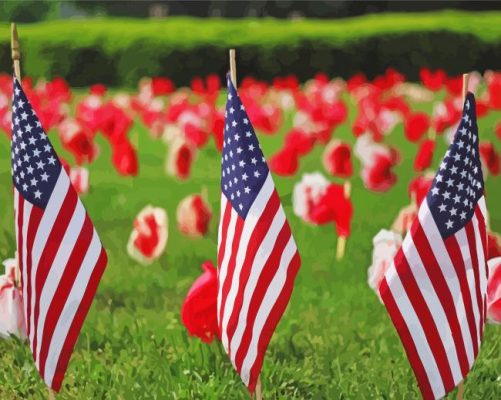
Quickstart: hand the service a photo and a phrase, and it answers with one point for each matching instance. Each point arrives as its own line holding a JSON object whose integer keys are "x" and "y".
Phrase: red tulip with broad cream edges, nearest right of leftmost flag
{"x": 149, "y": 235}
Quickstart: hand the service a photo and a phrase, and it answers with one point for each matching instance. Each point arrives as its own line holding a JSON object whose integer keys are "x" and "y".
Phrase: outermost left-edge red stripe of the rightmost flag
{"x": 406, "y": 338}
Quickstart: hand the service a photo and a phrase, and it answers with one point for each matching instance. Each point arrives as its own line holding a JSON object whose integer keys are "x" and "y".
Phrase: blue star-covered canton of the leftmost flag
{"x": 35, "y": 166}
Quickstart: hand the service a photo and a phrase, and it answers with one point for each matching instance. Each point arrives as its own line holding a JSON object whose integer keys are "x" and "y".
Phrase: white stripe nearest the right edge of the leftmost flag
{"x": 70, "y": 307}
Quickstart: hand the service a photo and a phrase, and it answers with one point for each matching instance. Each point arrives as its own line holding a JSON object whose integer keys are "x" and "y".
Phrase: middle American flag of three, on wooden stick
{"x": 257, "y": 256}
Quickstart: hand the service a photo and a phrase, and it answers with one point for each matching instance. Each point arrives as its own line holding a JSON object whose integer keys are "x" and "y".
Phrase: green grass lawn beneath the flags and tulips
{"x": 335, "y": 340}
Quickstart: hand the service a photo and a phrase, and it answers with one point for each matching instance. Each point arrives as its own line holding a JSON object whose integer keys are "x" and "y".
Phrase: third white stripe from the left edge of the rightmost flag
{"x": 442, "y": 256}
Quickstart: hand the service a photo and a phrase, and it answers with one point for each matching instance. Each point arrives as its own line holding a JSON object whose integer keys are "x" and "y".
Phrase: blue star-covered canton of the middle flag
{"x": 244, "y": 169}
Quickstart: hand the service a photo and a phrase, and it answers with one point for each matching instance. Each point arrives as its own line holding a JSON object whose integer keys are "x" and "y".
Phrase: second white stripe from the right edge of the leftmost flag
{"x": 56, "y": 270}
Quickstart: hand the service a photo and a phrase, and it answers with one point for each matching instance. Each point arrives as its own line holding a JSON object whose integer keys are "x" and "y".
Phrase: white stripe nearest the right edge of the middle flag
{"x": 272, "y": 294}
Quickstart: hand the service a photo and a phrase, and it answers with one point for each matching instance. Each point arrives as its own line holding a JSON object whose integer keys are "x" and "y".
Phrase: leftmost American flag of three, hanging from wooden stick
{"x": 60, "y": 255}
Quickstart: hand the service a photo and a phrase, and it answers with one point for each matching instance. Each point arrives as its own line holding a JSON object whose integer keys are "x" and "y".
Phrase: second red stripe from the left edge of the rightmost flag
{"x": 425, "y": 317}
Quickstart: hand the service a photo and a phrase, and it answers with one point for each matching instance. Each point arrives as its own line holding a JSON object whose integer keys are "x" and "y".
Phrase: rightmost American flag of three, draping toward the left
{"x": 435, "y": 290}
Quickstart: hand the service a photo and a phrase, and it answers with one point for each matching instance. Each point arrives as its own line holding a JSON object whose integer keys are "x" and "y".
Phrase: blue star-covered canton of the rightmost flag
{"x": 459, "y": 183}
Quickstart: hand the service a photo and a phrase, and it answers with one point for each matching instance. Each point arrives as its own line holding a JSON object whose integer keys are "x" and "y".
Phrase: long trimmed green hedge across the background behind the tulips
{"x": 119, "y": 52}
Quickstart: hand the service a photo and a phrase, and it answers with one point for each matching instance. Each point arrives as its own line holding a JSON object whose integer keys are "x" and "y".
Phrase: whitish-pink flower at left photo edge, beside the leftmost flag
{"x": 12, "y": 320}
